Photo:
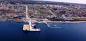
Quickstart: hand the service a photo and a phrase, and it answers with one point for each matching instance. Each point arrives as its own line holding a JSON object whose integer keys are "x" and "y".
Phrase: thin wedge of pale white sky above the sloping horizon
{"x": 70, "y": 1}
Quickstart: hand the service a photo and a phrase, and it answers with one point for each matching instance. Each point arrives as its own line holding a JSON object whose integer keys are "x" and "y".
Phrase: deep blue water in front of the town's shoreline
{"x": 12, "y": 31}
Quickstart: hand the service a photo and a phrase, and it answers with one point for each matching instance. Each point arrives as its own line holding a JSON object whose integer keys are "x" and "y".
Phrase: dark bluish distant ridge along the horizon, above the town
{"x": 37, "y": 2}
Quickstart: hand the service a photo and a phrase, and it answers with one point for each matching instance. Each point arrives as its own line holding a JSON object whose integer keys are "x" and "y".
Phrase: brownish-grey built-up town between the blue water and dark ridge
{"x": 57, "y": 11}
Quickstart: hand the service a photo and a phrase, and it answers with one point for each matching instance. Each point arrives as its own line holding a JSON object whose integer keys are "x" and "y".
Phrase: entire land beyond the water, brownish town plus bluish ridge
{"x": 60, "y": 9}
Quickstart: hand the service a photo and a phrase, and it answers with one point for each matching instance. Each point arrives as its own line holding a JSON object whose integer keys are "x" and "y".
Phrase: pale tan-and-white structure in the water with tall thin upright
{"x": 29, "y": 27}
